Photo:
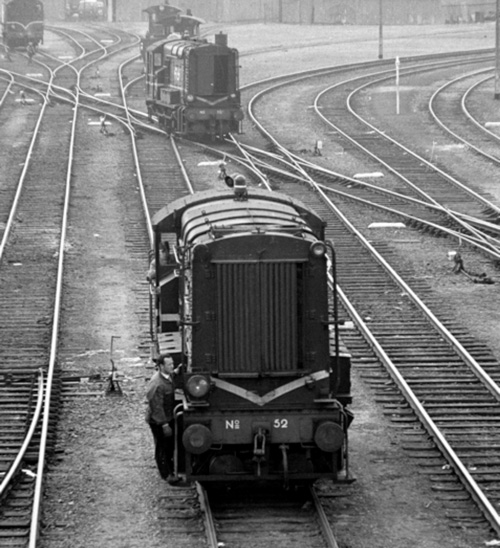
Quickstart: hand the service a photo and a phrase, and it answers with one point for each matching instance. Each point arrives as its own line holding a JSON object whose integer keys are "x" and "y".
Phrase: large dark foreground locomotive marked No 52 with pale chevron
{"x": 241, "y": 300}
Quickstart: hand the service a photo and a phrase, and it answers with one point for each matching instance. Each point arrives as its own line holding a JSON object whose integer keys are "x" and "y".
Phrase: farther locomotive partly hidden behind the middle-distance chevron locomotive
{"x": 168, "y": 21}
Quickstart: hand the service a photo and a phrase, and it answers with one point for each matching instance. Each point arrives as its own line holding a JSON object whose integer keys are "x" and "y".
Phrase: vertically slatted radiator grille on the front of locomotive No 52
{"x": 257, "y": 334}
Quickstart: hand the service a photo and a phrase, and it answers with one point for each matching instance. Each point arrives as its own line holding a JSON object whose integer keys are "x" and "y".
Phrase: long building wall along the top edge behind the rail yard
{"x": 310, "y": 12}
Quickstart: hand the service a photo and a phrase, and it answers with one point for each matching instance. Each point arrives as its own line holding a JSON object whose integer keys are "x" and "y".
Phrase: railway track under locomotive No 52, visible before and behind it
{"x": 163, "y": 178}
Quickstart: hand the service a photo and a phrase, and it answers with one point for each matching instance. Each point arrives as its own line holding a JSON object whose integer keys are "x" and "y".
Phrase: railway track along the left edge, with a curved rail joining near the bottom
{"x": 34, "y": 220}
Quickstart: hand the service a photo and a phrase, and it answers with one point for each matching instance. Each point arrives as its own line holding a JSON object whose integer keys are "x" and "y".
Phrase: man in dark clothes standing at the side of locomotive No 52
{"x": 160, "y": 415}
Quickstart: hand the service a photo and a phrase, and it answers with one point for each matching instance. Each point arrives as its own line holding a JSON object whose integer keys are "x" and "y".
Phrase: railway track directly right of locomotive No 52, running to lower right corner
{"x": 433, "y": 359}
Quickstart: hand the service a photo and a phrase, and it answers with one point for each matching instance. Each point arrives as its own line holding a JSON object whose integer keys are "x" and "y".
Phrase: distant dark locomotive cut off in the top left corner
{"x": 22, "y": 23}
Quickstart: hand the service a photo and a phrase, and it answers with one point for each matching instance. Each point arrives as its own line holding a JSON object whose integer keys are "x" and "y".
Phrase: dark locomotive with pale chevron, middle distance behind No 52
{"x": 192, "y": 86}
